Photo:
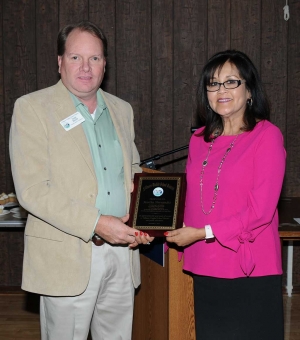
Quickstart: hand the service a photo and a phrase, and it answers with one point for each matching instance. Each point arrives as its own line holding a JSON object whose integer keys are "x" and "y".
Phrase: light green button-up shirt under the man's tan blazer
{"x": 107, "y": 156}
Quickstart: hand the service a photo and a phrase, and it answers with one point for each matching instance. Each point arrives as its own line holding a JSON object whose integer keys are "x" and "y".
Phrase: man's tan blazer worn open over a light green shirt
{"x": 55, "y": 181}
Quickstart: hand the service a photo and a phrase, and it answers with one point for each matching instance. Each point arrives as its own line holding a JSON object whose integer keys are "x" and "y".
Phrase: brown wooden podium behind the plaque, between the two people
{"x": 164, "y": 303}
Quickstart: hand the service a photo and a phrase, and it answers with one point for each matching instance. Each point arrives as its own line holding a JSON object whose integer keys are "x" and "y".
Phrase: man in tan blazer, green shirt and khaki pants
{"x": 73, "y": 158}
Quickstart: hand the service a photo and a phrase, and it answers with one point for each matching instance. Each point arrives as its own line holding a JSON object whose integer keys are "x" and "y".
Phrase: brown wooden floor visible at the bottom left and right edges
{"x": 19, "y": 318}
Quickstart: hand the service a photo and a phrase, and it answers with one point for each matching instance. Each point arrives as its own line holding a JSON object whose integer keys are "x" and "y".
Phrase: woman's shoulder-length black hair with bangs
{"x": 257, "y": 110}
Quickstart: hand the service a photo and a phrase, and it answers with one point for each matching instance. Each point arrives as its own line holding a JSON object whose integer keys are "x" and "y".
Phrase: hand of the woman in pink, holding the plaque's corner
{"x": 185, "y": 236}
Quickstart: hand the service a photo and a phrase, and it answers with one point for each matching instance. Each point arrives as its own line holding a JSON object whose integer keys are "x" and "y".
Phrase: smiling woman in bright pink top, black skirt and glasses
{"x": 235, "y": 171}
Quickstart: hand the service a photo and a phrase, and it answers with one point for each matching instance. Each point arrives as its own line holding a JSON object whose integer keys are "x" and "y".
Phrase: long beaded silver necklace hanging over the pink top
{"x": 216, "y": 187}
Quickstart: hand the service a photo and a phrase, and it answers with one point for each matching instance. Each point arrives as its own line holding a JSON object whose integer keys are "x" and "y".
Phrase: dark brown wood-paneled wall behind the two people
{"x": 156, "y": 52}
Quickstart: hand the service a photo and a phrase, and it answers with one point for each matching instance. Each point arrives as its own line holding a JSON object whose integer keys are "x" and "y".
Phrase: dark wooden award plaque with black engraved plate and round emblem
{"x": 157, "y": 202}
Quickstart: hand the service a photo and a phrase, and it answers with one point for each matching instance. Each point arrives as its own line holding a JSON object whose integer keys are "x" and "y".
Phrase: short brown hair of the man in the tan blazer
{"x": 84, "y": 26}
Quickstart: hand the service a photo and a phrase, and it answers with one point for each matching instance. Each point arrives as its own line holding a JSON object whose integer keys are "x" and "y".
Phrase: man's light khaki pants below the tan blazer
{"x": 106, "y": 306}
